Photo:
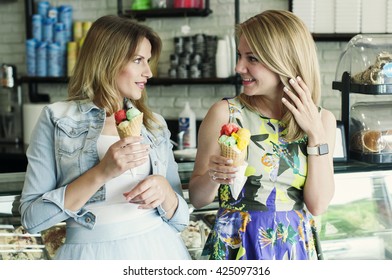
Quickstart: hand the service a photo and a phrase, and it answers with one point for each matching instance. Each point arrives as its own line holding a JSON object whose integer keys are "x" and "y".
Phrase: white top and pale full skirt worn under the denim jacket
{"x": 122, "y": 231}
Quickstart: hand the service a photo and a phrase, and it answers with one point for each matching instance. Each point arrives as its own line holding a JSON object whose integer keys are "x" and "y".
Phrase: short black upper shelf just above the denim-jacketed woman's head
{"x": 165, "y": 13}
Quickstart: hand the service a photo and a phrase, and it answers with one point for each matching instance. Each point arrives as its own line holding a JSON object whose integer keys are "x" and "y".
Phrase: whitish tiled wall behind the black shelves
{"x": 220, "y": 22}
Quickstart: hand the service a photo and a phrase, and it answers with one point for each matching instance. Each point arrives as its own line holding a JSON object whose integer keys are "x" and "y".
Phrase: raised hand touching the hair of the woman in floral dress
{"x": 302, "y": 106}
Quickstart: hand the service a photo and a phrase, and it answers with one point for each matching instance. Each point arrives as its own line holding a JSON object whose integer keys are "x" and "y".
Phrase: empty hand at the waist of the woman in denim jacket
{"x": 150, "y": 192}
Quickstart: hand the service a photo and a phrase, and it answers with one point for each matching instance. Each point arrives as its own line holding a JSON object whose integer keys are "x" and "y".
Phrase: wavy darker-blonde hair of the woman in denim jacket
{"x": 109, "y": 45}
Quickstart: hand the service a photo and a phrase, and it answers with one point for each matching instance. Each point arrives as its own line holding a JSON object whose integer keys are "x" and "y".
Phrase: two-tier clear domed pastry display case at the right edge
{"x": 365, "y": 68}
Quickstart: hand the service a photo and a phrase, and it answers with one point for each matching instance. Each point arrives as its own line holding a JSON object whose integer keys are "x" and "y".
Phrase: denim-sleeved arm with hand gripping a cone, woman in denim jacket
{"x": 44, "y": 203}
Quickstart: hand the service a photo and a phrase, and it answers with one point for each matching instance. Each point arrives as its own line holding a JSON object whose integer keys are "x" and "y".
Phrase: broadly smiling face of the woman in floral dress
{"x": 256, "y": 78}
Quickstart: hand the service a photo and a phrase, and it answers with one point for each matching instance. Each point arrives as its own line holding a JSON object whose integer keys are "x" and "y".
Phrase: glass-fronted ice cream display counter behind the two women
{"x": 357, "y": 225}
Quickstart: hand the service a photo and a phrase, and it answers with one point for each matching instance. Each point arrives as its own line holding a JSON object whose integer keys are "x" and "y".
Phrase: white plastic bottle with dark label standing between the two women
{"x": 187, "y": 123}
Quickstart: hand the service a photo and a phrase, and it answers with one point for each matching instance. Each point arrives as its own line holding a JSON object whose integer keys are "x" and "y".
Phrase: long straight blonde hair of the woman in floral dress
{"x": 282, "y": 42}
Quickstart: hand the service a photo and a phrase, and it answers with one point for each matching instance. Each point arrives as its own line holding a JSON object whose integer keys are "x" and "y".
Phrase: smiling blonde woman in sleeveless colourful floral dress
{"x": 290, "y": 161}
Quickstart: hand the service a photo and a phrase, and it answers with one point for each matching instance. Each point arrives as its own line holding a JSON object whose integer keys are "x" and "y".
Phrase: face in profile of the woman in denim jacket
{"x": 132, "y": 79}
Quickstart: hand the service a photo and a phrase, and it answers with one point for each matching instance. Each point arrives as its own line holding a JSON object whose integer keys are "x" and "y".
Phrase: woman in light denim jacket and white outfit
{"x": 120, "y": 198}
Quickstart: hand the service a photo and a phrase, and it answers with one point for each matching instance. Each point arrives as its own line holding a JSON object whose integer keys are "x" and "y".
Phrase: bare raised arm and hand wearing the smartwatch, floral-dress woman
{"x": 321, "y": 128}
